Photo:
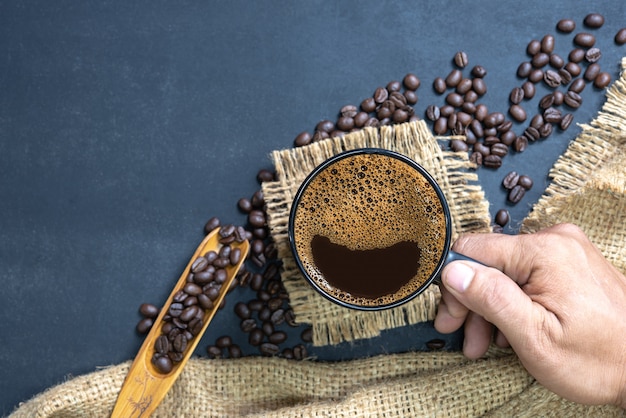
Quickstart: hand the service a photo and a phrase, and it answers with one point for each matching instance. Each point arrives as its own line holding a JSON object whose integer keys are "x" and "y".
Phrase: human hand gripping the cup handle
{"x": 554, "y": 298}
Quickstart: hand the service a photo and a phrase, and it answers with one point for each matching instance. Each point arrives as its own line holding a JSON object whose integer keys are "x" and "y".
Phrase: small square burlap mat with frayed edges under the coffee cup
{"x": 470, "y": 213}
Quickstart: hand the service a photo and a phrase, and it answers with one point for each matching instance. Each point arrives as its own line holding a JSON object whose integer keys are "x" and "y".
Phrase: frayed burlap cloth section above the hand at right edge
{"x": 588, "y": 185}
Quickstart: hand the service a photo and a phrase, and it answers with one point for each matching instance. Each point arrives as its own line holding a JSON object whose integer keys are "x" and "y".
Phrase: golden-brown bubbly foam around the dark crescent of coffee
{"x": 370, "y": 201}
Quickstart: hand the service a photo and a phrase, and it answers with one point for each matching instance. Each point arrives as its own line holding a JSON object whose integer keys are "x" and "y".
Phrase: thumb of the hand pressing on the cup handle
{"x": 492, "y": 295}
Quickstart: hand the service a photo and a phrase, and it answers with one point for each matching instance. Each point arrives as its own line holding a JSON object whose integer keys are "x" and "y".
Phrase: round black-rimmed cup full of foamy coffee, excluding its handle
{"x": 370, "y": 229}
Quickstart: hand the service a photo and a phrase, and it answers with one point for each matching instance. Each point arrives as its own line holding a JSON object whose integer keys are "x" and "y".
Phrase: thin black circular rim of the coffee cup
{"x": 381, "y": 151}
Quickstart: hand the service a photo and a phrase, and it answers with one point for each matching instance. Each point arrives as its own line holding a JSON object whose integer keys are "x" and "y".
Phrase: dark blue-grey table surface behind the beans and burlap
{"x": 125, "y": 126}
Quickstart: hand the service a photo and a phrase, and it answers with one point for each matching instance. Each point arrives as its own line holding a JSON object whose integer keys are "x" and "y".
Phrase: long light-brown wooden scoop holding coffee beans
{"x": 145, "y": 387}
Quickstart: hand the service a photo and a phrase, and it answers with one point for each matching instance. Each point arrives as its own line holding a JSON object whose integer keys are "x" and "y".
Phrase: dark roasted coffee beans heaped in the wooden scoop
{"x": 185, "y": 316}
